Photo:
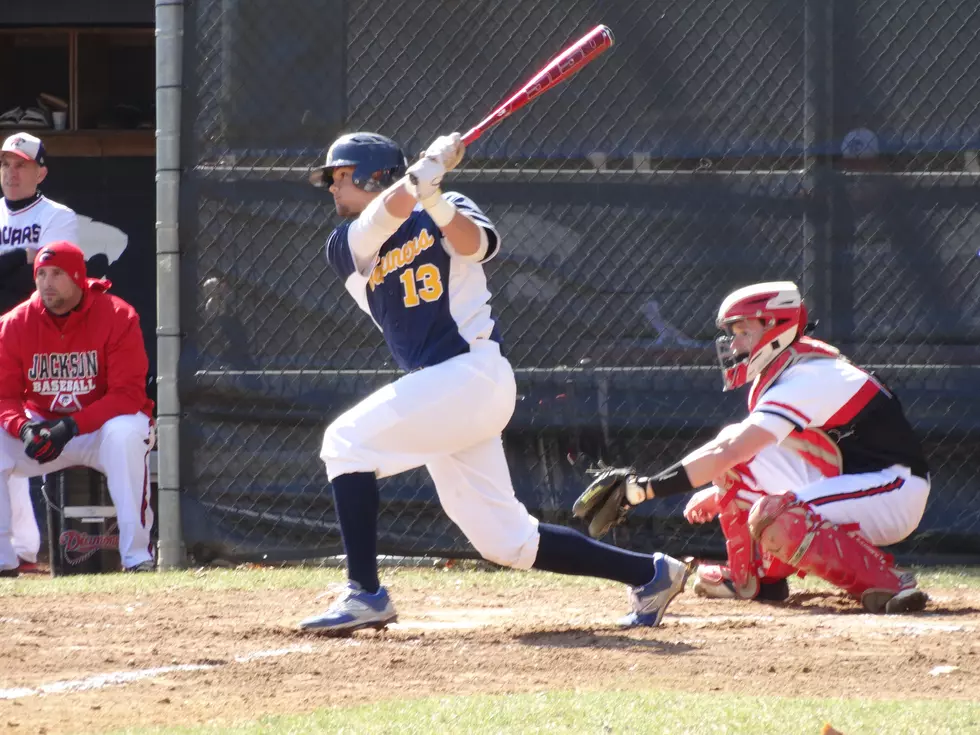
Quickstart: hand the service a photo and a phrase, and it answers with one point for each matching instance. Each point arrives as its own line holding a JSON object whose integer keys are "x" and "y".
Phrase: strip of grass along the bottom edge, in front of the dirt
{"x": 663, "y": 713}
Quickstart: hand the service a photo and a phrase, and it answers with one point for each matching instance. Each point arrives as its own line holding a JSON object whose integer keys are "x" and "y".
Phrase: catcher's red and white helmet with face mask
{"x": 780, "y": 307}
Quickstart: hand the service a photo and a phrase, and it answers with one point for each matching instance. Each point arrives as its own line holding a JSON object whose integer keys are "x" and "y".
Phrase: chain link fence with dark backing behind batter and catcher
{"x": 715, "y": 145}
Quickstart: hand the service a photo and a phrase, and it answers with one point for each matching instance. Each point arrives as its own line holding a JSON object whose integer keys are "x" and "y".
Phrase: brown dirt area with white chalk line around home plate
{"x": 96, "y": 662}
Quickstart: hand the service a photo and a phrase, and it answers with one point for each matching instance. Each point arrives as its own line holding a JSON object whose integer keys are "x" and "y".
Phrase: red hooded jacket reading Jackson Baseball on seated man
{"x": 91, "y": 365}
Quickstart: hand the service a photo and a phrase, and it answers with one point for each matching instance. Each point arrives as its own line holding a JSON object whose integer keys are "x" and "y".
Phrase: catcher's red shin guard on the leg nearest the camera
{"x": 794, "y": 533}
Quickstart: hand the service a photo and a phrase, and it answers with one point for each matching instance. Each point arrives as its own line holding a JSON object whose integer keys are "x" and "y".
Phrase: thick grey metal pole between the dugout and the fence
{"x": 169, "y": 53}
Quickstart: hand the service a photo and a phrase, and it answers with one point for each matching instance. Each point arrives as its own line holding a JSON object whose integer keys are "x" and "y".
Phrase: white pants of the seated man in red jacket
{"x": 120, "y": 450}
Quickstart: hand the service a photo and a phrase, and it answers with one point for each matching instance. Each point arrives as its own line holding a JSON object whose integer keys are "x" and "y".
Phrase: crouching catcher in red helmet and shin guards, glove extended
{"x": 823, "y": 471}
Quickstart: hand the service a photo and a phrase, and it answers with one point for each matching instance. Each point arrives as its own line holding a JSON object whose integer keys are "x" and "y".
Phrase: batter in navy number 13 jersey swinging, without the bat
{"x": 412, "y": 258}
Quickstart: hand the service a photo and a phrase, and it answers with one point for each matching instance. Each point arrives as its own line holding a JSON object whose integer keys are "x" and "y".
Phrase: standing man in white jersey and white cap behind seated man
{"x": 28, "y": 222}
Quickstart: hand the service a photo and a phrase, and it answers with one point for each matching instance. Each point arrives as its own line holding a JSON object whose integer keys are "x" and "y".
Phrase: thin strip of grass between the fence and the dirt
{"x": 294, "y": 577}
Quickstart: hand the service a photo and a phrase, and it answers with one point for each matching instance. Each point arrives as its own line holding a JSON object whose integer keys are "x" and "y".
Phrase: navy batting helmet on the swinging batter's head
{"x": 377, "y": 161}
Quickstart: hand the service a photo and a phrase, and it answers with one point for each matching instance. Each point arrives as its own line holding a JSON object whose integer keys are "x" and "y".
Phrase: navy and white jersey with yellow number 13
{"x": 428, "y": 305}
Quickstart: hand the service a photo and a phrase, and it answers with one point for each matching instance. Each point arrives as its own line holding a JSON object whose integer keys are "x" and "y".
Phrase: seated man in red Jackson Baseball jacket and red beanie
{"x": 73, "y": 393}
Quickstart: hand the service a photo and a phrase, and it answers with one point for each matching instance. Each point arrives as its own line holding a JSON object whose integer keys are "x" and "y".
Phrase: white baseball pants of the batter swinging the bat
{"x": 448, "y": 417}
